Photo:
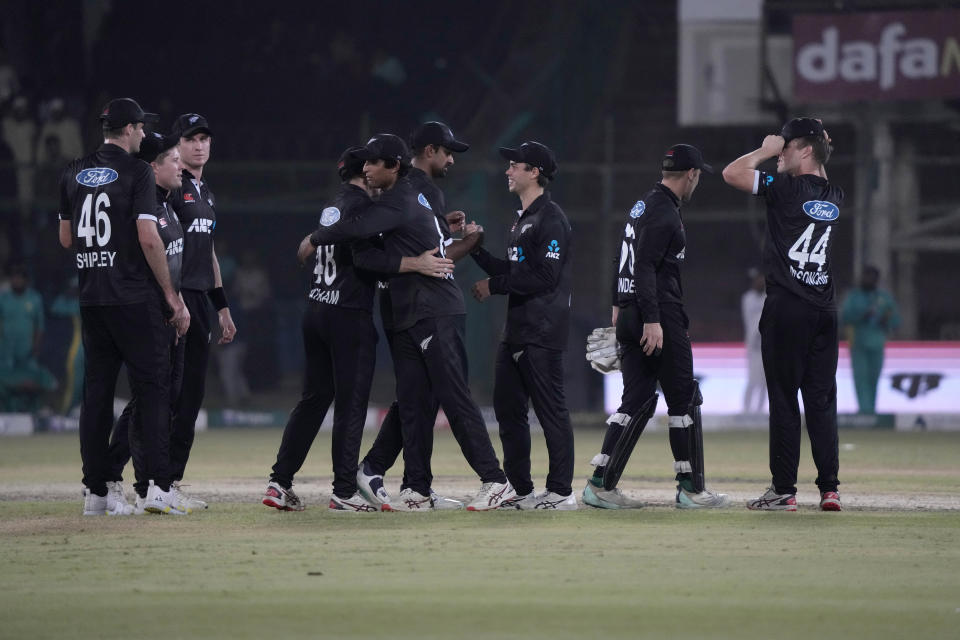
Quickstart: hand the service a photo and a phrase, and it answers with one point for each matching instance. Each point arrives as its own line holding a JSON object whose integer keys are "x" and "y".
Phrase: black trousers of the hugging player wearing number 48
{"x": 341, "y": 353}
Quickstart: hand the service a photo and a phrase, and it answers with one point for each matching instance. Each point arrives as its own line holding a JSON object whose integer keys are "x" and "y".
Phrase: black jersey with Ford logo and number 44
{"x": 801, "y": 213}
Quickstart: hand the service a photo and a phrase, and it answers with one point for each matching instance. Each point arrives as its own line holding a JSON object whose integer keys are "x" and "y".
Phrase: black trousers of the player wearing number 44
{"x": 799, "y": 346}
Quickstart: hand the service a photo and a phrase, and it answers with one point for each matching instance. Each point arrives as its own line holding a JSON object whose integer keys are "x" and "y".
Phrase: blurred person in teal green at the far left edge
{"x": 22, "y": 379}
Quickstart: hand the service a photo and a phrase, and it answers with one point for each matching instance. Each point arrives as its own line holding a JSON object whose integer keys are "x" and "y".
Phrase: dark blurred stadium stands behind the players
{"x": 286, "y": 86}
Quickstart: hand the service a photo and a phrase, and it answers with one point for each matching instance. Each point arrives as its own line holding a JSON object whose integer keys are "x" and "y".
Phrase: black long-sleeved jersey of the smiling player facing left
{"x": 536, "y": 275}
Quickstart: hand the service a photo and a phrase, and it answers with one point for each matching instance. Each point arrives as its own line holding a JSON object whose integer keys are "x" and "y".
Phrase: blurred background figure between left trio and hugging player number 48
{"x": 252, "y": 292}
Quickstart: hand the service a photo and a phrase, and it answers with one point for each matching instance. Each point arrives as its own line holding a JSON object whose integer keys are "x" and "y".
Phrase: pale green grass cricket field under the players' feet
{"x": 883, "y": 569}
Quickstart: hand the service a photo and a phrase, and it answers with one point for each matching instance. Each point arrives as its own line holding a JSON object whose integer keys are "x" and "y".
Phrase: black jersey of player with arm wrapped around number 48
{"x": 402, "y": 215}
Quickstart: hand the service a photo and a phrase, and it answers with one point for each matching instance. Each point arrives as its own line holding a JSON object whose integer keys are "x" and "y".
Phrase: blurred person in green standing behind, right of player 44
{"x": 870, "y": 315}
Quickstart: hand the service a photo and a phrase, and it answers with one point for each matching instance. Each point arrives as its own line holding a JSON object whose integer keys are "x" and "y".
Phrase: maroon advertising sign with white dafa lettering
{"x": 896, "y": 55}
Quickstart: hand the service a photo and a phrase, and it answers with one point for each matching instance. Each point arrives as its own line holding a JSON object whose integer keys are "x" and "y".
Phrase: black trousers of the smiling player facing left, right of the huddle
{"x": 524, "y": 374}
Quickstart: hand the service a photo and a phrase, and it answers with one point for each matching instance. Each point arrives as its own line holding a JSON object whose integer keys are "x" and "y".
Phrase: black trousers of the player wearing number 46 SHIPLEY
{"x": 135, "y": 335}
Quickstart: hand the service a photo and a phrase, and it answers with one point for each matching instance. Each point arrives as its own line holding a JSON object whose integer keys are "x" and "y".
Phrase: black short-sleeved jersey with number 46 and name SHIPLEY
{"x": 103, "y": 195}
